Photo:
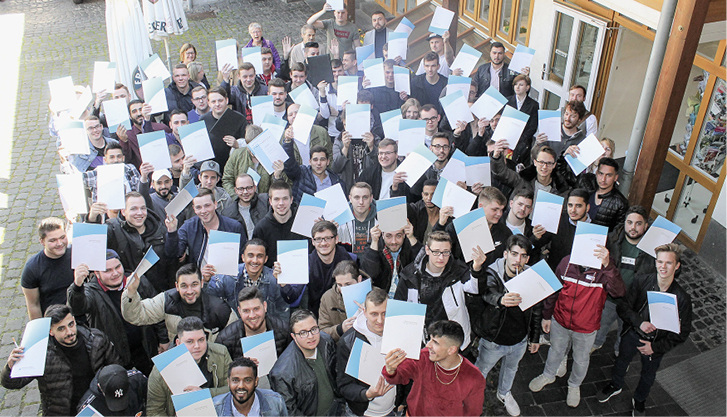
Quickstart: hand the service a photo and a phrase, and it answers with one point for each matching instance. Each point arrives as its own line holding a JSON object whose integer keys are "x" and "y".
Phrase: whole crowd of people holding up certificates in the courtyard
{"x": 107, "y": 325}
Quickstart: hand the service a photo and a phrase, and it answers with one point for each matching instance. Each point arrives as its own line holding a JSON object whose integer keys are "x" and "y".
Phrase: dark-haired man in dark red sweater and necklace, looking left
{"x": 444, "y": 382}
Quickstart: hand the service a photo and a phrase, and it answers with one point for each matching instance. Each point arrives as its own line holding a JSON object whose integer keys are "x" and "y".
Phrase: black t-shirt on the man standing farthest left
{"x": 51, "y": 277}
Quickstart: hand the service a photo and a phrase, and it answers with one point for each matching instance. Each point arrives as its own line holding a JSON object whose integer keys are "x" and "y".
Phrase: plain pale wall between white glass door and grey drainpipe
{"x": 628, "y": 69}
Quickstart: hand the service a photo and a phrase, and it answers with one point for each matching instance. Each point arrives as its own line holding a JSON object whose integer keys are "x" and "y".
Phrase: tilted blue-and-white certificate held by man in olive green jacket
{"x": 179, "y": 369}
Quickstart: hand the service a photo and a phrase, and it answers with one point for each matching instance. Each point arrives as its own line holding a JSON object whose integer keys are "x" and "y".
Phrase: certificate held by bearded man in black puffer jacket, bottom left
{"x": 35, "y": 344}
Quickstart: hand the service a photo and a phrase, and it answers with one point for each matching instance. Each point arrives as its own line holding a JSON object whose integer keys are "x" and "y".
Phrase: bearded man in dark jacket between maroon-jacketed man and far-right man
{"x": 630, "y": 261}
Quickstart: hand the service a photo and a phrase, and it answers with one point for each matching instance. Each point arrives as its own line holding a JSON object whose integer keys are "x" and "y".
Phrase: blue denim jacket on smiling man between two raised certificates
{"x": 227, "y": 287}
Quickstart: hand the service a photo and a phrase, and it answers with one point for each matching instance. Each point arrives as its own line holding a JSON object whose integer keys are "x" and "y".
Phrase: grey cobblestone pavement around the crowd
{"x": 60, "y": 39}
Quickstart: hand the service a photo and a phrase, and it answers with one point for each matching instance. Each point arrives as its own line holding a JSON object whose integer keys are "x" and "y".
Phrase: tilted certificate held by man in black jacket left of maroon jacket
{"x": 534, "y": 284}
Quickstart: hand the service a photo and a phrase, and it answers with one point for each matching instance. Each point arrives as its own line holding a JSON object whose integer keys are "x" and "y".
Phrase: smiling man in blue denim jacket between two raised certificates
{"x": 252, "y": 273}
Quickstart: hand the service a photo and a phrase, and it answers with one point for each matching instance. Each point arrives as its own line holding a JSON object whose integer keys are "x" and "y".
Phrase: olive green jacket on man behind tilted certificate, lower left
{"x": 159, "y": 397}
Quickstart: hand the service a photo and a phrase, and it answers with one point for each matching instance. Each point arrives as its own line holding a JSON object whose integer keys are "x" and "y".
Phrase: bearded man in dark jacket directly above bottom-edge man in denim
{"x": 254, "y": 319}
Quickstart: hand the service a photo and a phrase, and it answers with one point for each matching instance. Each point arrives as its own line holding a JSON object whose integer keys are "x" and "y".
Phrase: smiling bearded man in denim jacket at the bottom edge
{"x": 245, "y": 398}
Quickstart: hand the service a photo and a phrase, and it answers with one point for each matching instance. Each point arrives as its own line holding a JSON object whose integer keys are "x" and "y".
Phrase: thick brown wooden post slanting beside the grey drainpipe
{"x": 665, "y": 109}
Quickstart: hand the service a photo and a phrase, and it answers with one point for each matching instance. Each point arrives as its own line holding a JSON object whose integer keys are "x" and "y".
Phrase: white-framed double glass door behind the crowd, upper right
{"x": 574, "y": 58}
